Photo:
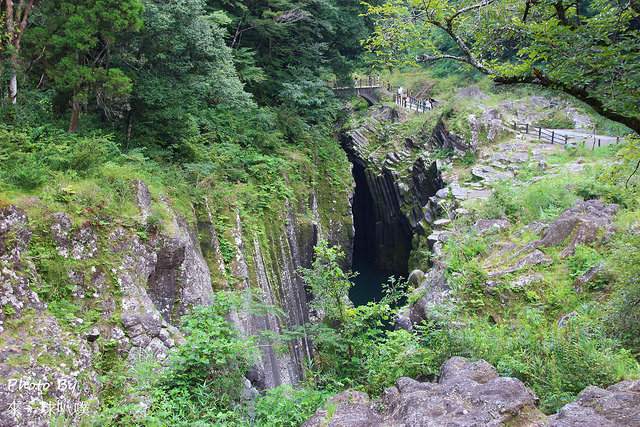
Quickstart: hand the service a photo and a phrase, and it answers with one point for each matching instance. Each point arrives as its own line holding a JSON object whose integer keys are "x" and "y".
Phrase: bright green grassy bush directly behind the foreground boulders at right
{"x": 557, "y": 363}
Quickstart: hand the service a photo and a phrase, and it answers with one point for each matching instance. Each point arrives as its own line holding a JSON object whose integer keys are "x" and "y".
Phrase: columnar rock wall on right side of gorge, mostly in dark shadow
{"x": 393, "y": 200}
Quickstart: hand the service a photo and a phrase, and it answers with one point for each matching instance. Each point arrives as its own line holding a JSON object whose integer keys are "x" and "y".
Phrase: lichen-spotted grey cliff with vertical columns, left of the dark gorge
{"x": 138, "y": 285}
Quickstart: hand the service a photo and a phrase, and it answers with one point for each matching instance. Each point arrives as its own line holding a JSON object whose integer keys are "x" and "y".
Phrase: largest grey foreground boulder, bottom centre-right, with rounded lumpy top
{"x": 467, "y": 394}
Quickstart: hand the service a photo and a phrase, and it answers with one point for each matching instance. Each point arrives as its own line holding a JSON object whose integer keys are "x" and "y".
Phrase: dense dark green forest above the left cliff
{"x": 162, "y": 72}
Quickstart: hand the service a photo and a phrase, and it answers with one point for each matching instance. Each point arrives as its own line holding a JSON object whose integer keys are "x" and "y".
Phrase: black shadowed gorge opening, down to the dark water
{"x": 380, "y": 249}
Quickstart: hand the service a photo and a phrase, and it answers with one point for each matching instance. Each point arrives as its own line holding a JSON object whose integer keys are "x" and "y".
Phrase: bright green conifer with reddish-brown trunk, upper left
{"x": 82, "y": 39}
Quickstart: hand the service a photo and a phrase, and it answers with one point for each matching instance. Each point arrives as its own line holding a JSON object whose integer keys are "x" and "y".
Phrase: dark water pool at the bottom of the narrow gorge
{"x": 367, "y": 285}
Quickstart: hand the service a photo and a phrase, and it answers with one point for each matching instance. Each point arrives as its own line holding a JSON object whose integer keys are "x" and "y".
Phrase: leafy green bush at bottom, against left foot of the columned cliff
{"x": 205, "y": 378}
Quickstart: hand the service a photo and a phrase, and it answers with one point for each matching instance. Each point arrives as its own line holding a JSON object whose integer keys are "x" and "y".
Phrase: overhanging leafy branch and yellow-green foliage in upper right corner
{"x": 587, "y": 49}
